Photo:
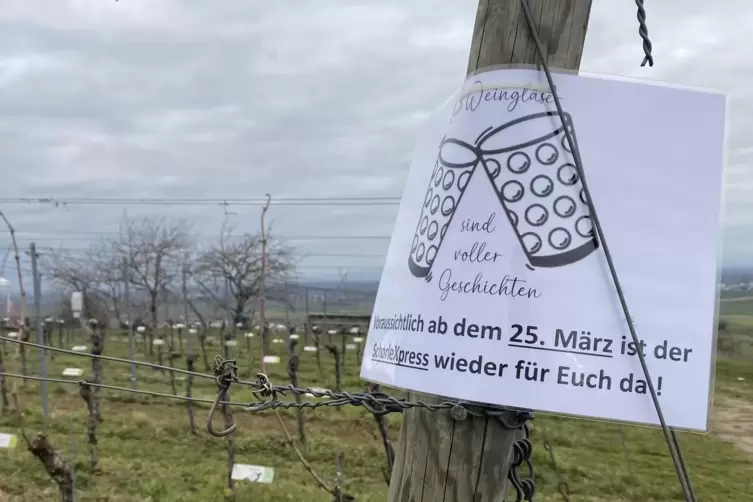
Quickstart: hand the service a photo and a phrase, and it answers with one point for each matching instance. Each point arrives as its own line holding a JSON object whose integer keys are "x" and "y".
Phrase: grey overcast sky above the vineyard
{"x": 237, "y": 98}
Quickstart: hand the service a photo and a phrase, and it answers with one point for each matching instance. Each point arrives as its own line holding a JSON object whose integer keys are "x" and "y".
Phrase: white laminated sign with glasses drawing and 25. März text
{"x": 496, "y": 288}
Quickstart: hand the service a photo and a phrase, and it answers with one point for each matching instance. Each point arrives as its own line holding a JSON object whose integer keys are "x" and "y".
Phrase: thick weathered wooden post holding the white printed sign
{"x": 439, "y": 458}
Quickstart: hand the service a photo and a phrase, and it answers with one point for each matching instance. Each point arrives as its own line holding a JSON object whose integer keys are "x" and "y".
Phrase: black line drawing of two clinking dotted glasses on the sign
{"x": 529, "y": 163}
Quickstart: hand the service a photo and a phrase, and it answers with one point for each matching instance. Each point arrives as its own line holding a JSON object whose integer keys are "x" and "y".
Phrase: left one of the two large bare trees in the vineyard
{"x": 153, "y": 248}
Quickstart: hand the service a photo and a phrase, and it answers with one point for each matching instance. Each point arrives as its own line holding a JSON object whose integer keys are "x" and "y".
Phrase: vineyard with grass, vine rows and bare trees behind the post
{"x": 114, "y": 413}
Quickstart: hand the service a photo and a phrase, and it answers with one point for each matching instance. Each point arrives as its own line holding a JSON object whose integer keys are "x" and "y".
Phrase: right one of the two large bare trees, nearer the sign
{"x": 238, "y": 260}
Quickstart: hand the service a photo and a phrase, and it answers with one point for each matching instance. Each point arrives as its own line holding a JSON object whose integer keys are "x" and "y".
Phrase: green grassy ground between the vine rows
{"x": 147, "y": 453}
